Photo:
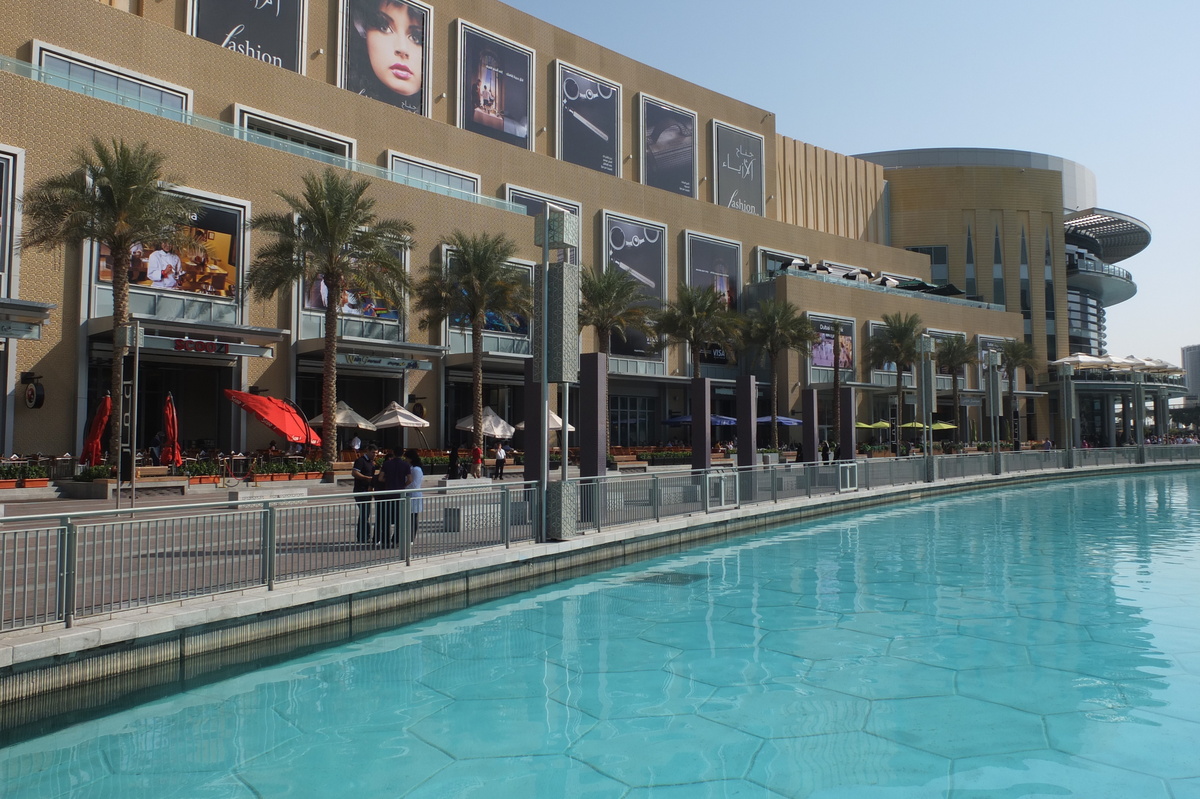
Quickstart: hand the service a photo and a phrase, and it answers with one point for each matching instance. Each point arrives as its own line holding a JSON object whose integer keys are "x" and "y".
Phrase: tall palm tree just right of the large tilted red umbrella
{"x": 332, "y": 233}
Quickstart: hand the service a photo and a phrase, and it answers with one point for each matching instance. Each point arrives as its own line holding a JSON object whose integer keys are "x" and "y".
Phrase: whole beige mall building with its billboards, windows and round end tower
{"x": 471, "y": 116}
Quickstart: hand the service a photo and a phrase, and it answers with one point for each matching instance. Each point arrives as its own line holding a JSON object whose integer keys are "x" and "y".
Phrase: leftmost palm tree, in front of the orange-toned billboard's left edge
{"x": 117, "y": 196}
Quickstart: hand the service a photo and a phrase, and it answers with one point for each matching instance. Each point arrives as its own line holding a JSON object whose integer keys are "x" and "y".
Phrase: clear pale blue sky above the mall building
{"x": 1112, "y": 86}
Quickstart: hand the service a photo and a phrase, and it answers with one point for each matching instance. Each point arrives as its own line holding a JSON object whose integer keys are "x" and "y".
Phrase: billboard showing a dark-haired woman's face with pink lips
{"x": 385, "y": 52}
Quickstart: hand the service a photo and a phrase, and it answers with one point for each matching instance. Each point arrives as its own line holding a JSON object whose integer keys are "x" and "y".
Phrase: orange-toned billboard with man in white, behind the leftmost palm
{"x": 208, "y": 266}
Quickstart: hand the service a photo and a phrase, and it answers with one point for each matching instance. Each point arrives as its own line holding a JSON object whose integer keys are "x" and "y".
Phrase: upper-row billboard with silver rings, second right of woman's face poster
{"x": 589, "y": 121}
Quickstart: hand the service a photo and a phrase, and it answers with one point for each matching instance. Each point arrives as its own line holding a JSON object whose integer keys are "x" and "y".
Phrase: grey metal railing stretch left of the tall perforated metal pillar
{"x": 55, "y": 569}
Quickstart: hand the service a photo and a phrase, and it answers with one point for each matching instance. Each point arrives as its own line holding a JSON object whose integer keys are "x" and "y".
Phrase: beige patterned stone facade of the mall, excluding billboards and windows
{"x": 818, "y": 205}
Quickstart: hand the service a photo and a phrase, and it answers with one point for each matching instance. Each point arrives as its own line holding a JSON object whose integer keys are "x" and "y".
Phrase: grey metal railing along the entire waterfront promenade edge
{"x": 59, "y": 568}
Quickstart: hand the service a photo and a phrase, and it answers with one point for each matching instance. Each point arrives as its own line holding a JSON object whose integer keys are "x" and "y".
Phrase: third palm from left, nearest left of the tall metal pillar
{"x": 477, "y": 283}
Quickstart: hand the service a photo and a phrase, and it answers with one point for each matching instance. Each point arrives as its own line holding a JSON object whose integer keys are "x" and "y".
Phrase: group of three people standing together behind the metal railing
{"x": 395, "y": 473}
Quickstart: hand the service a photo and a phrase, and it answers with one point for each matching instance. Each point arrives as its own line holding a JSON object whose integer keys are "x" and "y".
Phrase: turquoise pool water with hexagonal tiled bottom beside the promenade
{"x": 1034, "y": 642}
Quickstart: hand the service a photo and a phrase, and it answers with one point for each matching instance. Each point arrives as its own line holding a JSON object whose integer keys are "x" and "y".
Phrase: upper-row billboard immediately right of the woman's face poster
{"x": 495, "y": 87}
